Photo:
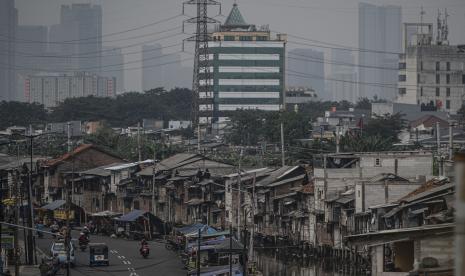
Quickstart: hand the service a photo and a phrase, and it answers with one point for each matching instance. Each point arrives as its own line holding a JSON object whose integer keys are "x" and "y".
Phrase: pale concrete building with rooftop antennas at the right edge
{"x": 431, "y": 72}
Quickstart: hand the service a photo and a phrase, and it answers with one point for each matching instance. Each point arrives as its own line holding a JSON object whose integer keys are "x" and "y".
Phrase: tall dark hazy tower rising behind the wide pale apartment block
{"x": 83, "y": 21}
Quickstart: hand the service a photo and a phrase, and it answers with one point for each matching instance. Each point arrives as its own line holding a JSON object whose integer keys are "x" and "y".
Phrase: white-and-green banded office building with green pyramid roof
{"x": 247, "y": 67}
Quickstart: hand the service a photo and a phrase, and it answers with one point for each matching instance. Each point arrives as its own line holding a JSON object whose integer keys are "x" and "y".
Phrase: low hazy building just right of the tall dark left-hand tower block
{"x": 113, "y": 66}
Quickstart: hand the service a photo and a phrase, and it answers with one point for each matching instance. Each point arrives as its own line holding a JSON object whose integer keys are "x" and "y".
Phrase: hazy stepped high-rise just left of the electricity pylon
{"x": 163, "y": 70}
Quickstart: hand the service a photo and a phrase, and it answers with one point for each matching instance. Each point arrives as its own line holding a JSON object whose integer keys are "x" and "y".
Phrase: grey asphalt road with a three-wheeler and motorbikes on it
{"x": 125, "y": 259}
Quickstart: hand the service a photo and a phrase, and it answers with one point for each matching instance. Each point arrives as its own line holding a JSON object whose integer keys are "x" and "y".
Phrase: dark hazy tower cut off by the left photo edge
{"x": 8, "y": 23}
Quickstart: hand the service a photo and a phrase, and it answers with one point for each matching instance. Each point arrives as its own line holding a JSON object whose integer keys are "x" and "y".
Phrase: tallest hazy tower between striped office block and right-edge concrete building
{"x": 379, "y": 36}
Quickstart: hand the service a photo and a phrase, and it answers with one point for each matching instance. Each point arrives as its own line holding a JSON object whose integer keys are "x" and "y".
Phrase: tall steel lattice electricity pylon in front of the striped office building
{"x": 202, "y": 103}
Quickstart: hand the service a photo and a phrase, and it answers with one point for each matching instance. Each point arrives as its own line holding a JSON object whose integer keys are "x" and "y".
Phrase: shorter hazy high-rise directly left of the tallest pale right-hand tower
{"x": 343, "y": 82}
